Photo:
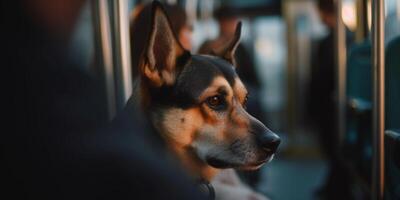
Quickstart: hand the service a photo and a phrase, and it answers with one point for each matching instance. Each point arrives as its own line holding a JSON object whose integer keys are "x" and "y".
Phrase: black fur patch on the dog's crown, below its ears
{"x": 196, "y": 76}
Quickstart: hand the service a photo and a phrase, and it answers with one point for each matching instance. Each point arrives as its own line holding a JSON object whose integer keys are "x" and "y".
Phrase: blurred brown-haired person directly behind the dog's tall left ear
{"x": 140, "y": 29}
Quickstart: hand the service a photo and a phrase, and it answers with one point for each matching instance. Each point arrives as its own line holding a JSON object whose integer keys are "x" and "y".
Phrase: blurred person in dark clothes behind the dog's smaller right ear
{"x": 227, "y": 18}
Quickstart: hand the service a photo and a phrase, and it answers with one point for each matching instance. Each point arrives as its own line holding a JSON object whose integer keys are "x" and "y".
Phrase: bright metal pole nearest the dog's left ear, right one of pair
{"x": 122, "y": 51}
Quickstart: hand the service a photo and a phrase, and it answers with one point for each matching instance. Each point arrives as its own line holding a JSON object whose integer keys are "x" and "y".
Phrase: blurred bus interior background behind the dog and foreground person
{"x": 307, "y": 64}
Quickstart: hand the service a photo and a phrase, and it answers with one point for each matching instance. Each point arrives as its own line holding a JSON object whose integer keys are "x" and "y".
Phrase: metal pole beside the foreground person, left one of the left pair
{"x": 103, "y": 50}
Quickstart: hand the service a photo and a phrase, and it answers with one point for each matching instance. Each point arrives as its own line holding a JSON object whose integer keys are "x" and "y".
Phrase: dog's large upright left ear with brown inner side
{"x": 162, "y": 52}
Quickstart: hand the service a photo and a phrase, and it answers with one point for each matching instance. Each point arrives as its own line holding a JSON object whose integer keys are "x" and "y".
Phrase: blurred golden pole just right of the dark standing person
{"x": 341, "y": 73}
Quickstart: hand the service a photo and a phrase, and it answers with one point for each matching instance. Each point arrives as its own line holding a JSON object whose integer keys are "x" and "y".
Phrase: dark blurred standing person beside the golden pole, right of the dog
{"x": 323, "y": 108}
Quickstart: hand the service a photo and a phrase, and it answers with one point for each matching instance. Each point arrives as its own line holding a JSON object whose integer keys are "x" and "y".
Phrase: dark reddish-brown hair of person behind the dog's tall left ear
{"x": 140, "y": 29}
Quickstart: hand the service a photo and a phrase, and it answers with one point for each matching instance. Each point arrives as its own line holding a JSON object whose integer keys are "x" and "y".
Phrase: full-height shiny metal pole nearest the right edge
{"x": 378, "y": 67}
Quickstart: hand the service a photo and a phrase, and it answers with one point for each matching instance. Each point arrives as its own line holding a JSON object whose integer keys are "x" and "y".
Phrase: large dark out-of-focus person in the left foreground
{"x": 54, "y": 148}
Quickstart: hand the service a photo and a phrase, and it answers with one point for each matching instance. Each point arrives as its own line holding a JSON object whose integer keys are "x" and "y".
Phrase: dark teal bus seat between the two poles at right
{"x": 359, "y": 105}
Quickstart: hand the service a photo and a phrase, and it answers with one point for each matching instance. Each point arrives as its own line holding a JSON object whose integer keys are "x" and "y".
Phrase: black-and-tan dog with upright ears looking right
{"x": 197, "y": 104}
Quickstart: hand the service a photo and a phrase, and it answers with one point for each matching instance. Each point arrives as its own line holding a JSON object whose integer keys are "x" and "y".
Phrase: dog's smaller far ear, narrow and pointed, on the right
{"x": 228, "y": 52}
